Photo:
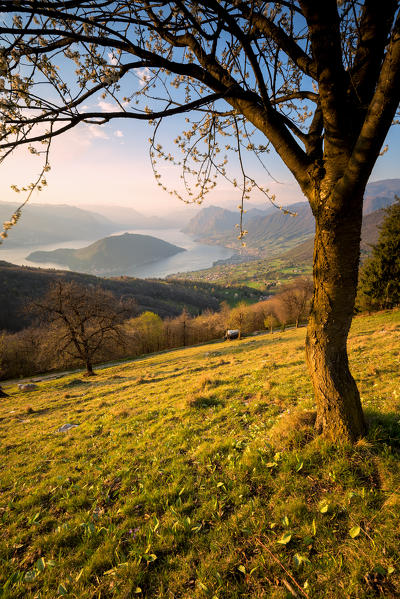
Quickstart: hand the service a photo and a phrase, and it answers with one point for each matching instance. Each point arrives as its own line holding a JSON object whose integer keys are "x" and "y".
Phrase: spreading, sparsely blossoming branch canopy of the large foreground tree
{"x": 310, "y": 79}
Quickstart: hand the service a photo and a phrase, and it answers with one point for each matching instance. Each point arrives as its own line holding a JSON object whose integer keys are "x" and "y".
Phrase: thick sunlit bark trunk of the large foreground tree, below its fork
{"x": 336, "y": 259}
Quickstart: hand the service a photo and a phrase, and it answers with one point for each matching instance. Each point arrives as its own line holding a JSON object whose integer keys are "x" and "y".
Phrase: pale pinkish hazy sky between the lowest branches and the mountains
{"x": 110, "y": 164}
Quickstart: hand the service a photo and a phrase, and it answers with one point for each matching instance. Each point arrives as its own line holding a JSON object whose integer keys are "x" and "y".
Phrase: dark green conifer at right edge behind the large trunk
{"x": 380, "y": 275}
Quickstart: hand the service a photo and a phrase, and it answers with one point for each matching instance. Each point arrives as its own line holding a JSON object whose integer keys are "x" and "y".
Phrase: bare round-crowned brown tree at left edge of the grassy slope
{"x": 83, "y": 319}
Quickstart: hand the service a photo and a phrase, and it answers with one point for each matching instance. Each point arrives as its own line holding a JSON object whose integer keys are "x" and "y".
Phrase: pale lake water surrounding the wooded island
{"x": 196, "y": 257}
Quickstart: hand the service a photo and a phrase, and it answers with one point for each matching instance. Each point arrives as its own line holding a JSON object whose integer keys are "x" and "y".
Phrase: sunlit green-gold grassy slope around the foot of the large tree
{"x": 193, "y": 474}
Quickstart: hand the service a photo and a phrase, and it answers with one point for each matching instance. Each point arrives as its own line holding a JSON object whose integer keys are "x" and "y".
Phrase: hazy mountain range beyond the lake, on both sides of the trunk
{"x": 270, "y": 231}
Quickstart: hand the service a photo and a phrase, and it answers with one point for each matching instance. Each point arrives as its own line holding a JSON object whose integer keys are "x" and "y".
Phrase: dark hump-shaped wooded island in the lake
{"x": 113, "y": 255}
